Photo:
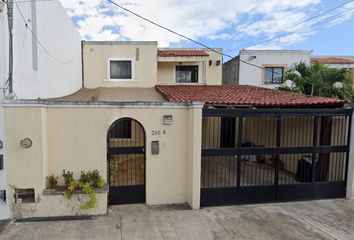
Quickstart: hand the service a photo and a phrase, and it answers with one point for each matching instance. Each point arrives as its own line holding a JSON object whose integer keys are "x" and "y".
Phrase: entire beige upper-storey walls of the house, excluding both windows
{"x": 147, "y": 68}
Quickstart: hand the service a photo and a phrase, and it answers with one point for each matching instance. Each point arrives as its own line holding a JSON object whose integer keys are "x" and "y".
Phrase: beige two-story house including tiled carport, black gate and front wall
{"x": 160, "y": 128}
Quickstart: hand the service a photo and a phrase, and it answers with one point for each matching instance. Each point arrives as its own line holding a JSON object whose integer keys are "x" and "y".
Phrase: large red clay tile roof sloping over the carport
{"x": 243, "y": 95}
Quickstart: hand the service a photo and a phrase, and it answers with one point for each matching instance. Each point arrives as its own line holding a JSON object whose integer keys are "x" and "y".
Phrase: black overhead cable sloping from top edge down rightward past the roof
{"x": 184, "y": 36}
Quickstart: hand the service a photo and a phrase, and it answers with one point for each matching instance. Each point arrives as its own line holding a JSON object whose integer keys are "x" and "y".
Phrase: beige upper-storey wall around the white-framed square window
{"x": 96, "y": 56}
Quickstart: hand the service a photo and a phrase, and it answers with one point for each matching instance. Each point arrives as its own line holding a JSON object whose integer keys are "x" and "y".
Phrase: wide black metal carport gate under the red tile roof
{"x": 270, "y": 155}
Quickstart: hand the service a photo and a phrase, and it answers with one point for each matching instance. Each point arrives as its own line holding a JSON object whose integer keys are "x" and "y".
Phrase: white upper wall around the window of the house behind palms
{"x": 251, "y": 75}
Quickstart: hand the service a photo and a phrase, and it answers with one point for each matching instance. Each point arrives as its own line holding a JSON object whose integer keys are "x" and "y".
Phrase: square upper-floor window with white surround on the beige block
{"x": 120, "y": 69}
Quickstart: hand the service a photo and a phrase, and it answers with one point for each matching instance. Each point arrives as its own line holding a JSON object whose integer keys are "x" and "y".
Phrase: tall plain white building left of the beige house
{"x": 46, "y": 53}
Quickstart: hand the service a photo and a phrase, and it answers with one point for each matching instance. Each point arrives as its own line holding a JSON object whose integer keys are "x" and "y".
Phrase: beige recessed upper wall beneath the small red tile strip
{"x": 208, "y": 74}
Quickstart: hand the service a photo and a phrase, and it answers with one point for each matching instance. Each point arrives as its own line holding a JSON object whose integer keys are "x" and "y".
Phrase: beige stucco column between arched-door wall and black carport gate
{"x": 194, "y": 143}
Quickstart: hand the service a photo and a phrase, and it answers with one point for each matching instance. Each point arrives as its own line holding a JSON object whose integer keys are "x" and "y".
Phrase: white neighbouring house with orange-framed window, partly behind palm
{"x": 271, "y": 64}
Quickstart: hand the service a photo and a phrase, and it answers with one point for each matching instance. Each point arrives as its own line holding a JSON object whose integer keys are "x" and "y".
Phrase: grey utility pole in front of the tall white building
{"x": 10, "y": 17}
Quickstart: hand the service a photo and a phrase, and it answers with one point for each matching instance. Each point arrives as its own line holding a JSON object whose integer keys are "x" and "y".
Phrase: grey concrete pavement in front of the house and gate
{"x": 326, "y": 219}
